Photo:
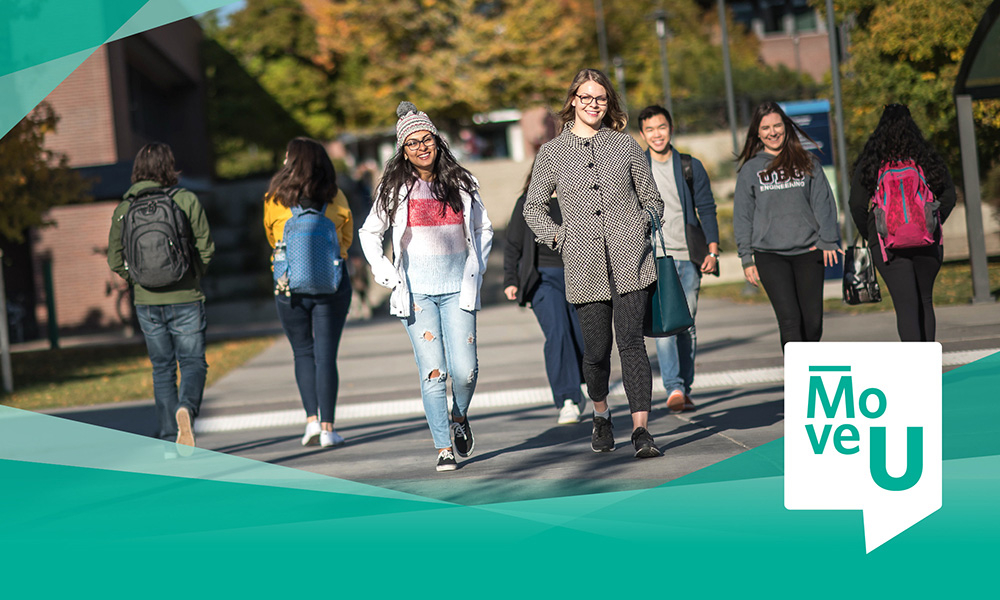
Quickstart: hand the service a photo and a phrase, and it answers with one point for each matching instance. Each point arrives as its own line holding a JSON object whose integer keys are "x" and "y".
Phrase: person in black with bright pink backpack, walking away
{"x": 901, "y": 194}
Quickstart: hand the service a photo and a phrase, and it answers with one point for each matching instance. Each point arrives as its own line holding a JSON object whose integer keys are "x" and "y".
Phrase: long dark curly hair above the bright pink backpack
{"x": 897, "y": 138}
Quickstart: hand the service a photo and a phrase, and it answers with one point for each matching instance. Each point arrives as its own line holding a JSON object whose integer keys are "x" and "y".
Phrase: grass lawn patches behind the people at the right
{"x": 953, "y": 286}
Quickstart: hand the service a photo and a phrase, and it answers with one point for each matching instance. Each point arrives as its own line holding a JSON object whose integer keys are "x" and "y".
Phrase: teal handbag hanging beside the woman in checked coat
{"x": 667, "y": 313}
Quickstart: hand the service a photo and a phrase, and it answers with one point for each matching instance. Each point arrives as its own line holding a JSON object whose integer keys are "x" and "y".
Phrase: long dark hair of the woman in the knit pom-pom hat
{"x": 450, "y": 179}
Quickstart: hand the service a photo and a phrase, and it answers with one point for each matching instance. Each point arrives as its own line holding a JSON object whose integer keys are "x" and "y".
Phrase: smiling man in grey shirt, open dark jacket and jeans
{"x": 691, "y": 234}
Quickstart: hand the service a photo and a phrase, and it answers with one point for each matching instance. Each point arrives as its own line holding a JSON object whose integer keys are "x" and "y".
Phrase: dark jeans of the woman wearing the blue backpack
{"x": 313, "y": 325}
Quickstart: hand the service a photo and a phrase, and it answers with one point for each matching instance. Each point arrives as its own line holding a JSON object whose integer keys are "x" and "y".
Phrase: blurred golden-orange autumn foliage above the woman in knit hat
{"x": 452, "y": 58}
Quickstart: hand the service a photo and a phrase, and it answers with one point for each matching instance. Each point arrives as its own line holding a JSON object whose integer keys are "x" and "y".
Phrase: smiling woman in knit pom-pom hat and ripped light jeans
{"x": 441, "y": 239}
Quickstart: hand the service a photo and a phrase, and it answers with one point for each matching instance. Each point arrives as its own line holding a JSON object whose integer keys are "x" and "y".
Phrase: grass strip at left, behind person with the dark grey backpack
{"x": 83, "y": 376}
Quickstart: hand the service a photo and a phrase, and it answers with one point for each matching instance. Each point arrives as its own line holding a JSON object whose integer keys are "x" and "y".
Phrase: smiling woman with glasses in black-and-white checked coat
{"x": 604, "y": 186}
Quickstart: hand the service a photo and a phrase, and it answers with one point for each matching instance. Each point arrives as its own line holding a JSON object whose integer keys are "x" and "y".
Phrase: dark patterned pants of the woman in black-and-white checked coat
{"x": 627, "y": 312}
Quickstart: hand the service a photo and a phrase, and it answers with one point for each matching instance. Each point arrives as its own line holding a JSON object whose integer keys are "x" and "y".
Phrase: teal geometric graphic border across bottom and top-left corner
{"x": 93, "y": 512}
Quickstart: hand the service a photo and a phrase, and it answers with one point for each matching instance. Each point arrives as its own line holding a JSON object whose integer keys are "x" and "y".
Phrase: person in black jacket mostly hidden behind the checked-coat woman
{"x": 533, "y": 274}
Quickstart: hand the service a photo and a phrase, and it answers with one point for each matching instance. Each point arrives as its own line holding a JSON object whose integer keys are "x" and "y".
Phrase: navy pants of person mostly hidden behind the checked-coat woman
{"x": 563, "y": 337}
